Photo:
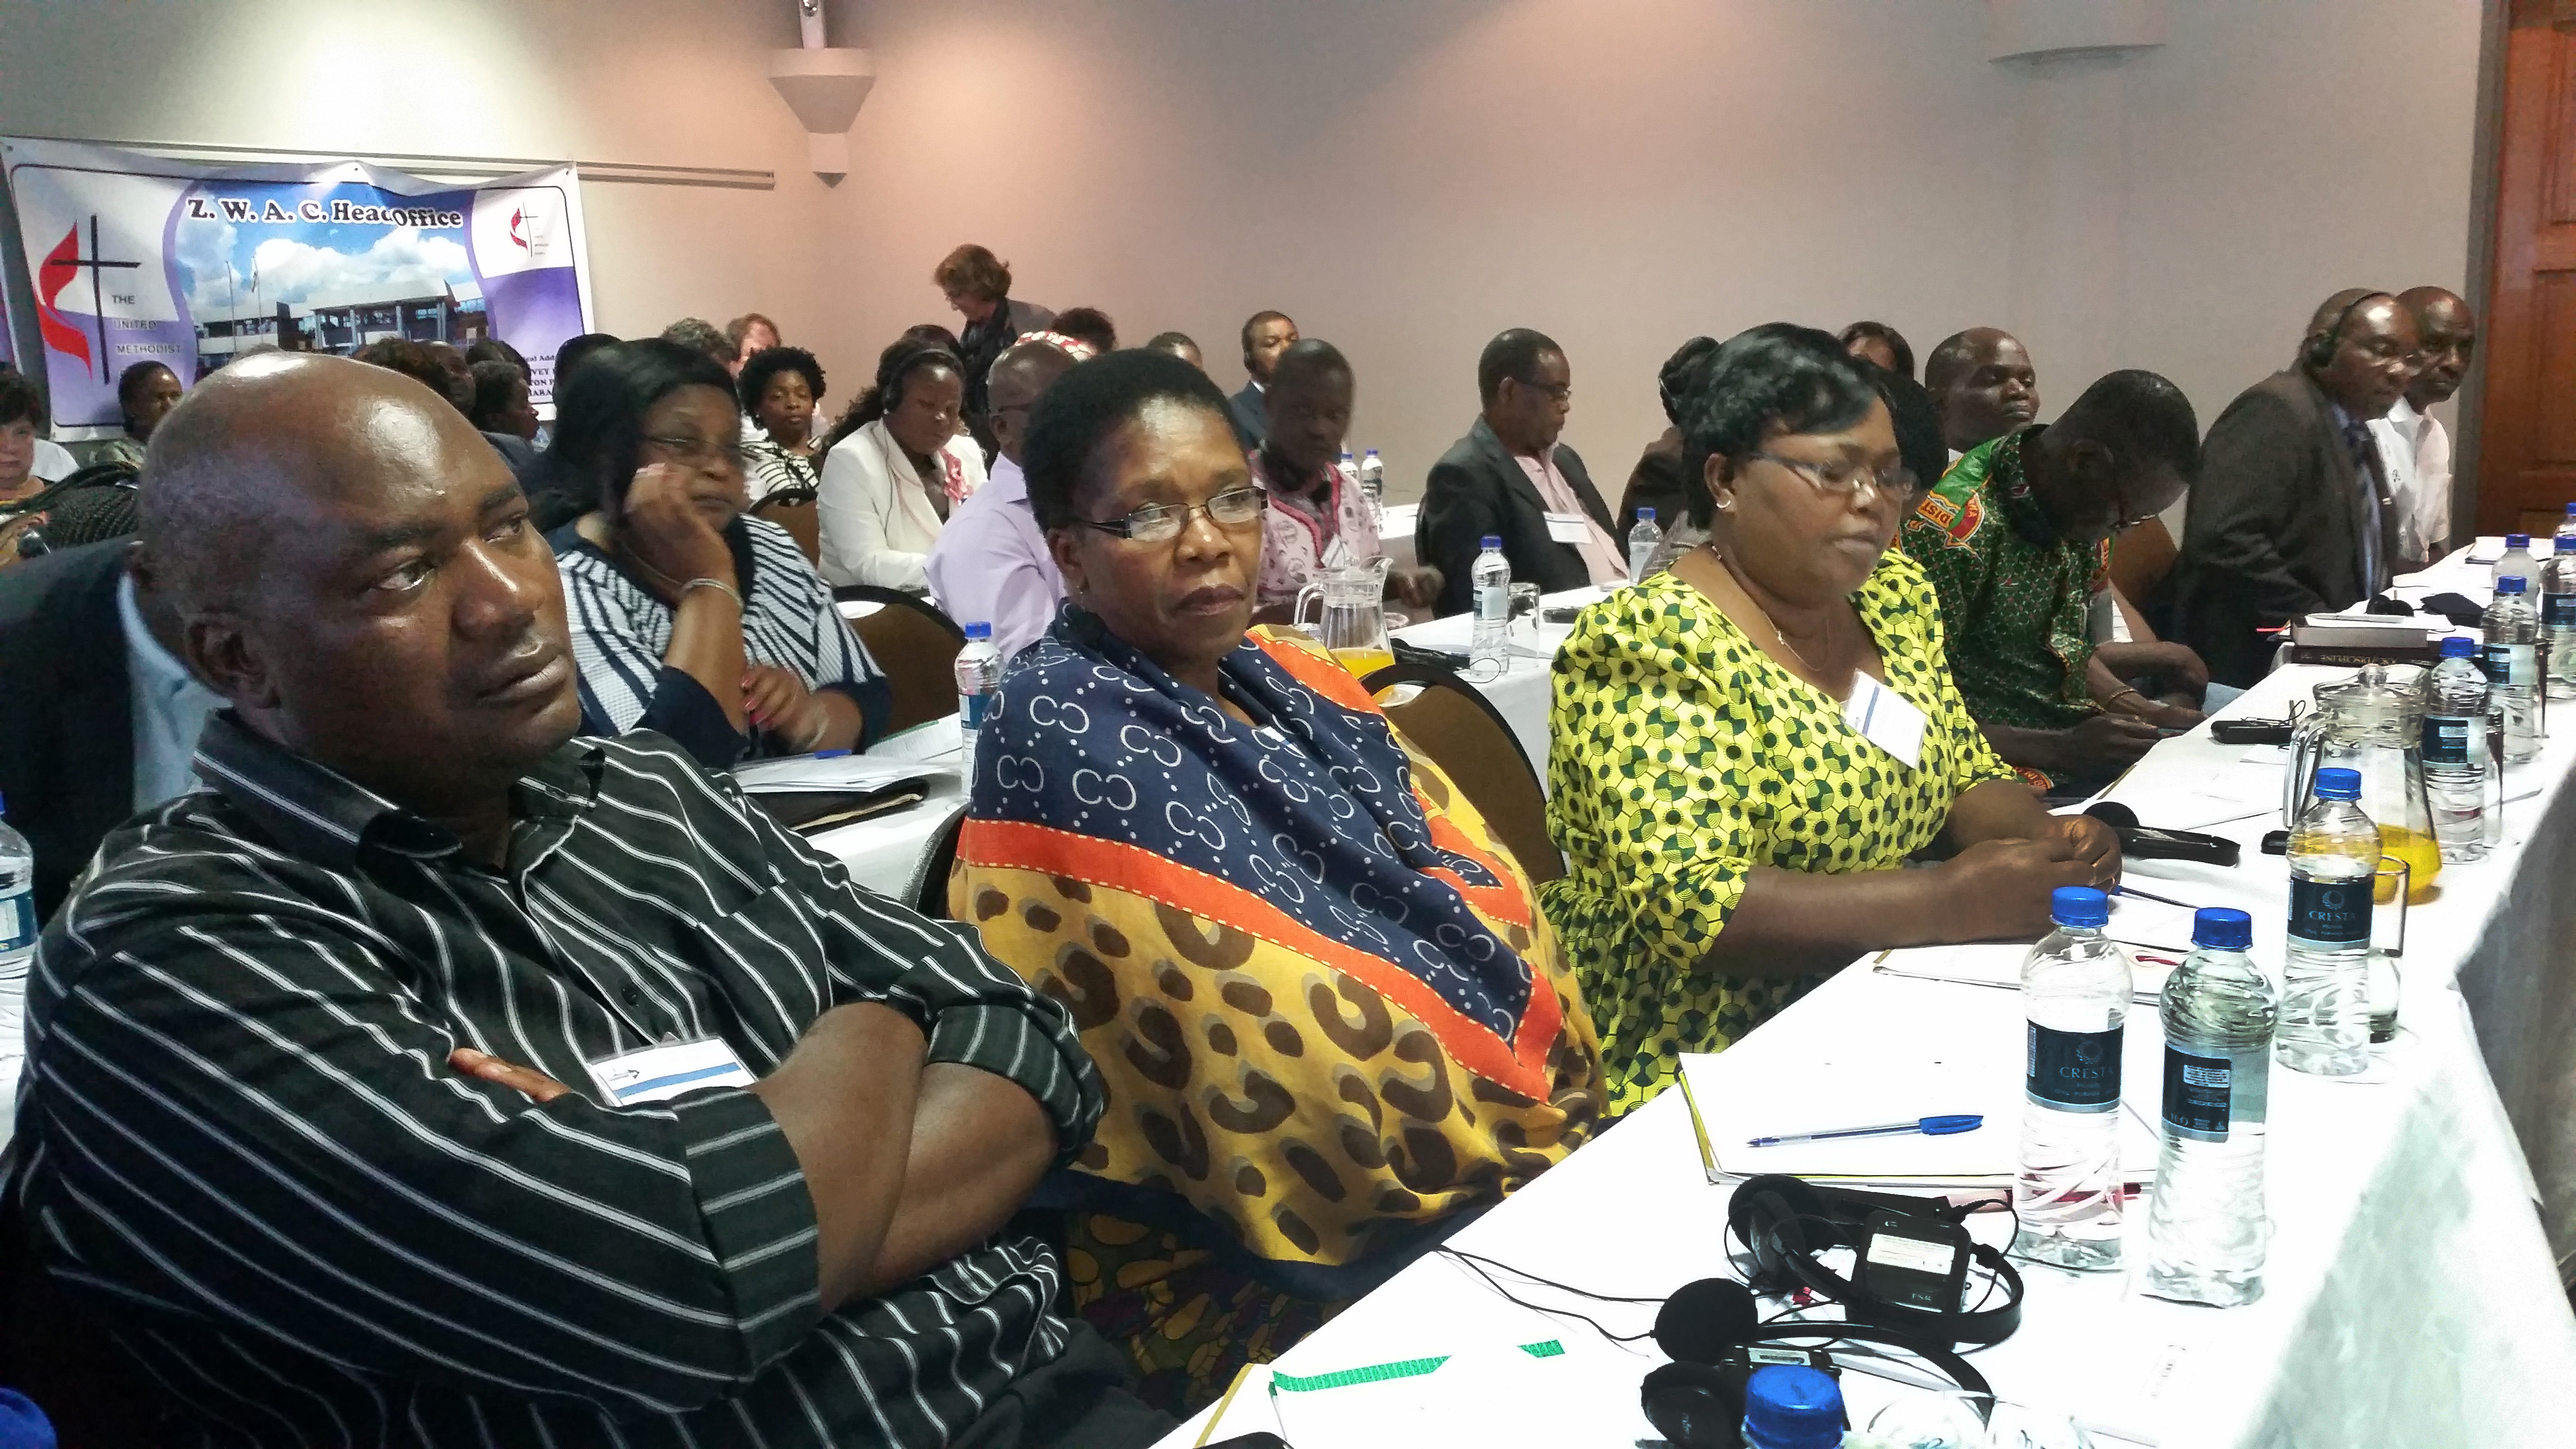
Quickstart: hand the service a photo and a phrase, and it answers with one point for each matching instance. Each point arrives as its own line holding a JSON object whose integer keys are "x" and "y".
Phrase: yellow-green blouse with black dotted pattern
{"x": 1683, "y": 759}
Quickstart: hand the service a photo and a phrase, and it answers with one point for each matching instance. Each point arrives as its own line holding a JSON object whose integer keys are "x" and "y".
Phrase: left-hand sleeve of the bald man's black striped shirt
{"x": 251, "y": 1125}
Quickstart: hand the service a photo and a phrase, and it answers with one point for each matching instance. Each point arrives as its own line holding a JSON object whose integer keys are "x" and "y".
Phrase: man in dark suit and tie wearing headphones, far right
{"x": 2291, "y": 514}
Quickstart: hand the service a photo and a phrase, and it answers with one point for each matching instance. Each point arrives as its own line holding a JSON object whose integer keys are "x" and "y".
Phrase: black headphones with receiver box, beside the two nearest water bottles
{"x": 1789, "y": 1221}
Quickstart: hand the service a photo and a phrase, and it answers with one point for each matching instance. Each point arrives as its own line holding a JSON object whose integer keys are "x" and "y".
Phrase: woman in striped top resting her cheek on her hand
{"x": 689, "y": 618}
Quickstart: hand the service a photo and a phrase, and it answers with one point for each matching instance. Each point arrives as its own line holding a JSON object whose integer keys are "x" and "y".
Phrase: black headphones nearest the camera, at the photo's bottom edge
{"x": 1699, "y": 1404}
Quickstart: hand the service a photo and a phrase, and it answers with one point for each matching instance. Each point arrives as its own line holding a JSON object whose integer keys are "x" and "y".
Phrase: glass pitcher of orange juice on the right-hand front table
{"x": 2371, "y": 723}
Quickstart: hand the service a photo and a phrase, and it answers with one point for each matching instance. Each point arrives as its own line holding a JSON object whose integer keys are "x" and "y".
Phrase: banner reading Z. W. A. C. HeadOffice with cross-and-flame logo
{"x": 143, "y": 259}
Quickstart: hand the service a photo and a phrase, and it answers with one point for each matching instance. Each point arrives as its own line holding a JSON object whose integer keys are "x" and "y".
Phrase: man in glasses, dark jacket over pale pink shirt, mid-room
{"x": 1498, "y": 481}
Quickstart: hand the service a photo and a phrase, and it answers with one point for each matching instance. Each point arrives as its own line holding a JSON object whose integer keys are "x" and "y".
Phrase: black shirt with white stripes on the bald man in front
{"x": 243, "y": 1149}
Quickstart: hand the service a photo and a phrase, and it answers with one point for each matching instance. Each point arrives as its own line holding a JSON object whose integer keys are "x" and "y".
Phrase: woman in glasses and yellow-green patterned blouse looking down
{"x": 1750, "y": 746}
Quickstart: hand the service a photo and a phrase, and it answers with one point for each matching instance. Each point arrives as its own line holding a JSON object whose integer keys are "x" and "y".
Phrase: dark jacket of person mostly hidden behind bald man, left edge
{"x": 66, "y": 710}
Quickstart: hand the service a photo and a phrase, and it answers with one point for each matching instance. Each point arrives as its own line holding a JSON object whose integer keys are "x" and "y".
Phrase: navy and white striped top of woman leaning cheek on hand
{"x": 622, "y": 630}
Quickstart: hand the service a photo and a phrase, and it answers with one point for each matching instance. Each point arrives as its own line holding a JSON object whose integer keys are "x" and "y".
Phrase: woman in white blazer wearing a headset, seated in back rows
{"x": 898, "y": 468}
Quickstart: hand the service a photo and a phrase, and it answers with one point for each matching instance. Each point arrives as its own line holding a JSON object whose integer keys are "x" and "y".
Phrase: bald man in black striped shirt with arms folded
{"x": 298, "y": 1118}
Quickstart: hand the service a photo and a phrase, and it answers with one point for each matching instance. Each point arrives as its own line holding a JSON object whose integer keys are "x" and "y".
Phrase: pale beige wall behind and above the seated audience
{"x": 1405, "y": 179}
